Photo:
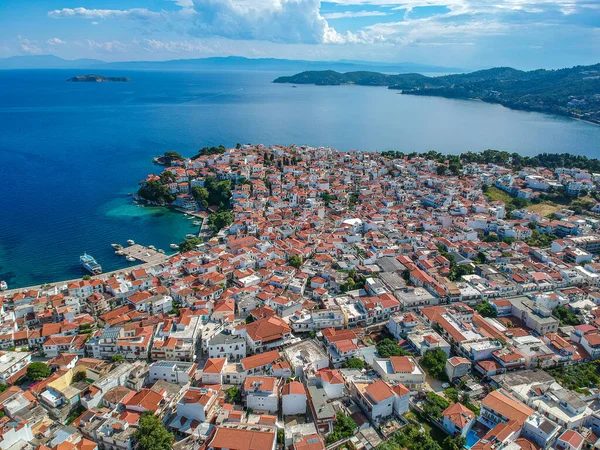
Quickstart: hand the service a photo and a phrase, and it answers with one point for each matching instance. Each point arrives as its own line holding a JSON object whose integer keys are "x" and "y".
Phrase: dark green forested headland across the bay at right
{"x": 573, "y": 92}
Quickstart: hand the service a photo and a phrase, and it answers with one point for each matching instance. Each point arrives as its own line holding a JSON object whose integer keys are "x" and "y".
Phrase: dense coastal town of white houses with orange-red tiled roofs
{"x": 334, "y": 299}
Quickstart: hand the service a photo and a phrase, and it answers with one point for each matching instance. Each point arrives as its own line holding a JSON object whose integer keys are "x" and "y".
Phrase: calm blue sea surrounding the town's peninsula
{"x": 70, "y": 153}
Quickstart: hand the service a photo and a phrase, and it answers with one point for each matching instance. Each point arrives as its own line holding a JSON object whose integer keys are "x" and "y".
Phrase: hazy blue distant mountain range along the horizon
{"x": 218, "y": 63}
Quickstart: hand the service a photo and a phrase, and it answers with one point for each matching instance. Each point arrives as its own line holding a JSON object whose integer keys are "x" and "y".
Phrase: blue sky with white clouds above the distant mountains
{"x": 525, "y": 34}
